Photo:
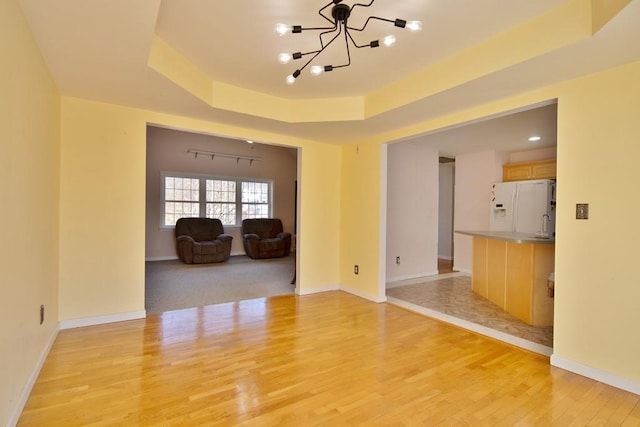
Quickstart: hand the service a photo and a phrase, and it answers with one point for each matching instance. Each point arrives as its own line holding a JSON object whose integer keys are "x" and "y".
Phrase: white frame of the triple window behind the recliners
{"x": 202, "y": 194}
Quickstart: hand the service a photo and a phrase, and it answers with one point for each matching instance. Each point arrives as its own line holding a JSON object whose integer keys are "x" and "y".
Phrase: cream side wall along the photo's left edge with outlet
{"x": 29, "y": 169}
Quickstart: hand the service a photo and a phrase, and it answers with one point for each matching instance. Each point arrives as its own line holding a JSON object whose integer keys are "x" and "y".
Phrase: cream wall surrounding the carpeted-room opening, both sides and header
{"x": 102, "y": 199}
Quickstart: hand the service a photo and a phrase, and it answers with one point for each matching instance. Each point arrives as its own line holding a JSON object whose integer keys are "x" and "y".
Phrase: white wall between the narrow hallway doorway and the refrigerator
{"x": 475, "y": 172}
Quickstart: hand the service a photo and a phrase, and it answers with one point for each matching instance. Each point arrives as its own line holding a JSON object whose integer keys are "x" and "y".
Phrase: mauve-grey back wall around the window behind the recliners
{"x": 167, "y": 151}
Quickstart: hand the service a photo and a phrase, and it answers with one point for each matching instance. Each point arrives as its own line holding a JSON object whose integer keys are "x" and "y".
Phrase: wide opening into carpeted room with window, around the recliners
{"x": 170, "y": 152}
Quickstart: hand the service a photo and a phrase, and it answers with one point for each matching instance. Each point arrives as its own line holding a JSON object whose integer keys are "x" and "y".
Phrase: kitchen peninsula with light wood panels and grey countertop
{"x": 511, "y": 270}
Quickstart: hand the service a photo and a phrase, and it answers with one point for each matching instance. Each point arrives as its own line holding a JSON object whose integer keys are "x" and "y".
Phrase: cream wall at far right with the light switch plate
{"x": 597, "y": 293}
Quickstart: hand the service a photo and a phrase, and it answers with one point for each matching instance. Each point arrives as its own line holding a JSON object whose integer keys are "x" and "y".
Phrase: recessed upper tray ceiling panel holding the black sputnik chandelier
{"x": 235, "y": 42}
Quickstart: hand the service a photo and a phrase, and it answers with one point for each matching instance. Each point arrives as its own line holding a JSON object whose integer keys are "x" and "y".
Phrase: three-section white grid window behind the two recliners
{"x": 214, "y": 197}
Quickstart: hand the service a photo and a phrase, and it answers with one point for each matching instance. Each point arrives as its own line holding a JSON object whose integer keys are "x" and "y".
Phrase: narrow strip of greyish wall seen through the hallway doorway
{"x": 445, "y": 210}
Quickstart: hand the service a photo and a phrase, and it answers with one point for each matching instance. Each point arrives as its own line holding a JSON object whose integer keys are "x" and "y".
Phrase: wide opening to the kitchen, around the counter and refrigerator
{"x": 479, "y": 149}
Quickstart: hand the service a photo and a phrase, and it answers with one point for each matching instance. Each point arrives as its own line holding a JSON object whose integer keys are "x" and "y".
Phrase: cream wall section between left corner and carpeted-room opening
{"x": 102, "y": 193}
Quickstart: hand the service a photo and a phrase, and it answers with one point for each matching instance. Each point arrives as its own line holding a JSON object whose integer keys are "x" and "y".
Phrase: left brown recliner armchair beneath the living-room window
{"x": 202, "y": 240}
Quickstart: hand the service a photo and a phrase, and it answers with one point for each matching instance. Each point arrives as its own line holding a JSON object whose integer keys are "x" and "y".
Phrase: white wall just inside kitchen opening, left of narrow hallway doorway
{"x": 412, "y": 211}
